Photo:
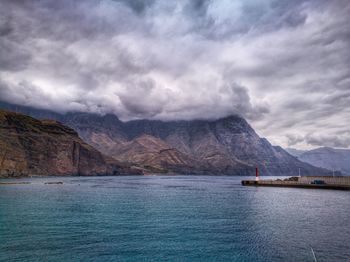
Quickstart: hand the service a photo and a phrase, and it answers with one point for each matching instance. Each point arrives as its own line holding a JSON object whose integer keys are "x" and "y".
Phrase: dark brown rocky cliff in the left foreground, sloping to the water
{"x": 45, "y": 147}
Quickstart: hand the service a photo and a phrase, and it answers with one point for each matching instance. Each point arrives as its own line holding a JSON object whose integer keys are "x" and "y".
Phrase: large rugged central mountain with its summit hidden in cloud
{"x": 225, "y": 146}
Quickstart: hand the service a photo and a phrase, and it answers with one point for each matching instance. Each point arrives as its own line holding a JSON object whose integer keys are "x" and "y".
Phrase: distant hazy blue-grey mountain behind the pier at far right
{"x": 330, "y": 158}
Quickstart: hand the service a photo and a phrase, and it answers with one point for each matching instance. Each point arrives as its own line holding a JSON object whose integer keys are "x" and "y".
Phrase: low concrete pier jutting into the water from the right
{"x": 319, "y": 182}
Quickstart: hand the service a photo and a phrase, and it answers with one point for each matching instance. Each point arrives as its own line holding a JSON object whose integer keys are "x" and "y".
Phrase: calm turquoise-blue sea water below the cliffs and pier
{"x": 170, "y": 218}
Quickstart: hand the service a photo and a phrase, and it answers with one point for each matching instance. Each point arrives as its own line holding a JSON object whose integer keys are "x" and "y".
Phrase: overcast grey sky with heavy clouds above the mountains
{"x": 282, "y": 65}
